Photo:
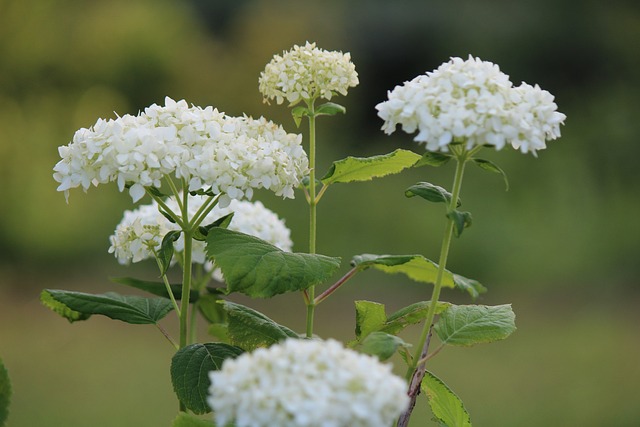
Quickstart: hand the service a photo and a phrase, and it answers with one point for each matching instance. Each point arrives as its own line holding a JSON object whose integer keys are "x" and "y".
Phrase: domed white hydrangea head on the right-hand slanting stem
{"x": 475, "y": 103}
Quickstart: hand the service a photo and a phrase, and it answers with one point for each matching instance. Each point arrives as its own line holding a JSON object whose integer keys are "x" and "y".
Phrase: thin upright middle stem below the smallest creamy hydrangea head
{"x": 311, "y": 305}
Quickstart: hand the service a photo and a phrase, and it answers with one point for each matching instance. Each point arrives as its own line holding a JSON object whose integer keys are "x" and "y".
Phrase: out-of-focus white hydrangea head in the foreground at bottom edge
{"x": 308, "y": 383}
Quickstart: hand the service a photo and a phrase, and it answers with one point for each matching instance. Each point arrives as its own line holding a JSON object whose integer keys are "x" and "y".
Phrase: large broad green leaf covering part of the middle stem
{"x": 260, "y": 270}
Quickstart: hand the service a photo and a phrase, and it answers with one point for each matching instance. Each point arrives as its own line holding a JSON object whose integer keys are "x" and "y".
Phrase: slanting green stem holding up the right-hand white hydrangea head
{"x": 416, "y": 370}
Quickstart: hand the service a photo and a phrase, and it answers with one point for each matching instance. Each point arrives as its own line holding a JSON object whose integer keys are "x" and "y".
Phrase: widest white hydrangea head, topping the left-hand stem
{"x": 233, "y": 155}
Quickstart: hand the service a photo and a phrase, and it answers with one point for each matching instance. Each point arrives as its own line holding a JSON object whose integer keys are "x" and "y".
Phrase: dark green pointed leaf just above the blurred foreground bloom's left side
{"x": 250, "y": 329}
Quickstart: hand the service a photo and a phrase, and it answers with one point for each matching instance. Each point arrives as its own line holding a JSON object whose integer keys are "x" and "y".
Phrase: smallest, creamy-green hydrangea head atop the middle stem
{"x": 306, "y": 73}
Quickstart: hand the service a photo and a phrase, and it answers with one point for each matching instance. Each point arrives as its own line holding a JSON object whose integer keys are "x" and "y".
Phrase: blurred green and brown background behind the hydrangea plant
{"x": 562, "y": 244}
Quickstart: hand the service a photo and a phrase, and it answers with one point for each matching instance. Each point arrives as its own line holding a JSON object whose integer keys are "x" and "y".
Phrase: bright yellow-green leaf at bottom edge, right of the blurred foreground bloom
{"x": 445, "y": 405}
